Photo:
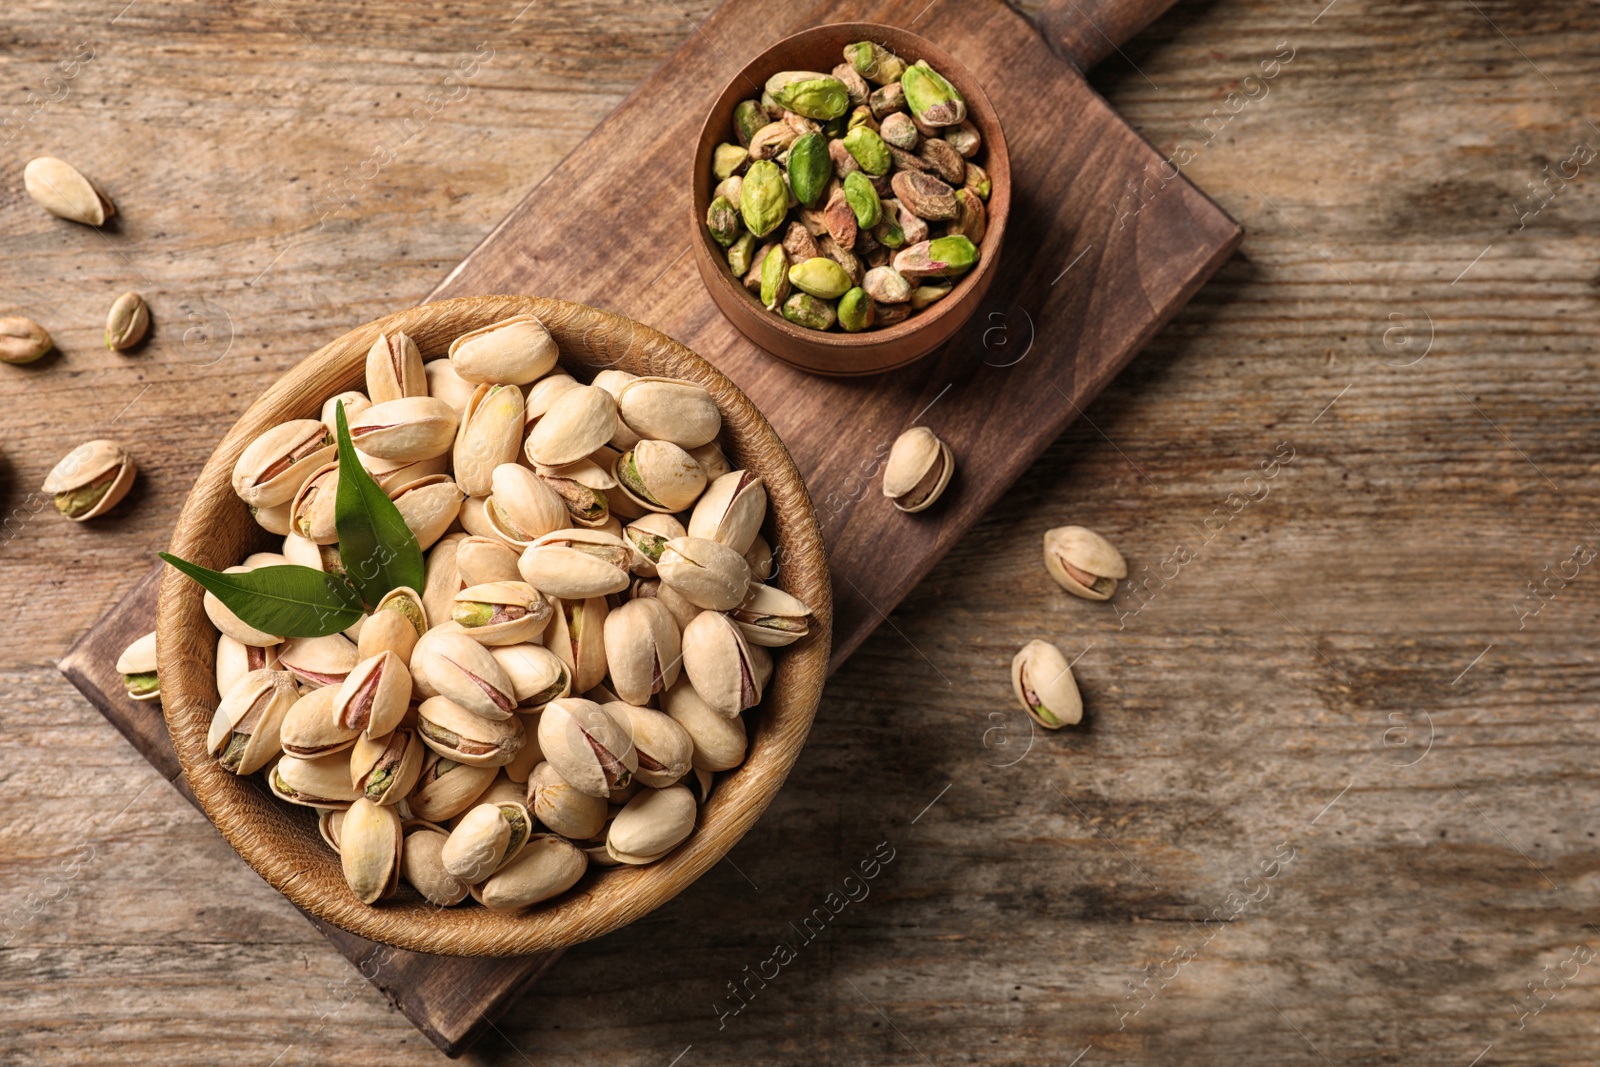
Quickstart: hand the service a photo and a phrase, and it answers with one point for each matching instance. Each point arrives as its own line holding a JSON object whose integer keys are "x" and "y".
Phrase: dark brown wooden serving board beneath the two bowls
{"x": 1100, "y": 254}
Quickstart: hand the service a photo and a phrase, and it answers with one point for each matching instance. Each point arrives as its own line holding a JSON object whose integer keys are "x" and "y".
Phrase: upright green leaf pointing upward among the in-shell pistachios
{"x": 378, "y": 549}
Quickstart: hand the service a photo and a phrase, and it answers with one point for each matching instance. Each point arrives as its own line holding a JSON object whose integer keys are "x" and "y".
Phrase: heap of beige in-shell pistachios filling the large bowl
{"x": 593, "y": 629}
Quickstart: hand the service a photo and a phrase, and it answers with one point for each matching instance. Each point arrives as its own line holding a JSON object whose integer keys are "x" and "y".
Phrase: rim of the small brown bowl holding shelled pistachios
{"x": 993, "y": 132}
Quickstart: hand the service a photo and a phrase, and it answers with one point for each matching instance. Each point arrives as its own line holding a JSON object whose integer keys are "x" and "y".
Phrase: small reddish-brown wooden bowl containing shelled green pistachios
{"x": 873, "y": 351}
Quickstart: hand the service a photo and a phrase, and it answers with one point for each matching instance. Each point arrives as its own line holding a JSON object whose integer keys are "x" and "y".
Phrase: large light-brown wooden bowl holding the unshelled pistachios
{"x": 282, "y": 844}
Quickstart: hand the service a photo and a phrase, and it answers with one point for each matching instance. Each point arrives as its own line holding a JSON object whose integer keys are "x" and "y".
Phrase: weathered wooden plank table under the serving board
{"x": 1334, "y": 799}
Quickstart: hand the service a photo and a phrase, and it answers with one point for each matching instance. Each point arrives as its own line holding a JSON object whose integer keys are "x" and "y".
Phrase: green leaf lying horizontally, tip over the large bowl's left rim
{"x": 286, "y": 601}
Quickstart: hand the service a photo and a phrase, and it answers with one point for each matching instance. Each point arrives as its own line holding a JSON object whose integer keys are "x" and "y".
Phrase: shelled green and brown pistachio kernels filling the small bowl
{"x": 852, "y": 199}
